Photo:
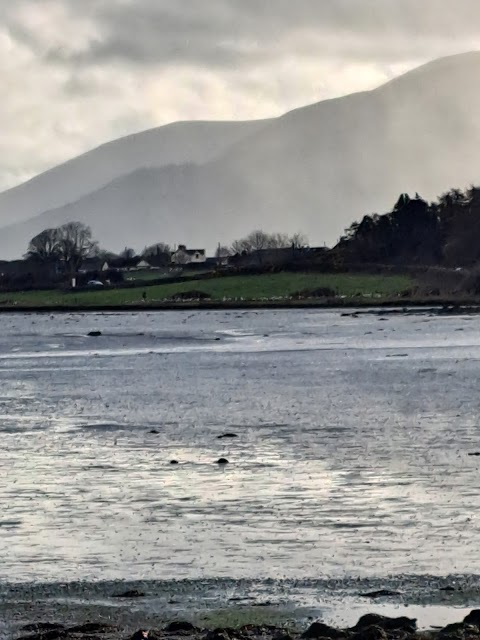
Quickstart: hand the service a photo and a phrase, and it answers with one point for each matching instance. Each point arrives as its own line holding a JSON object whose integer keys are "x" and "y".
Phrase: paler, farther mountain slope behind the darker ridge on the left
{"x": 176, "y": 143}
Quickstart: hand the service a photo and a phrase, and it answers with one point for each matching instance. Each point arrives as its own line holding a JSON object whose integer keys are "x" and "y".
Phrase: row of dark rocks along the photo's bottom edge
{"x": 369, "y": 627}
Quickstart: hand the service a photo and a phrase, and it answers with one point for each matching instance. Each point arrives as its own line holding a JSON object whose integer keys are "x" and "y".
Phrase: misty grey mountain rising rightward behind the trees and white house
{"x": 315, "y": 169}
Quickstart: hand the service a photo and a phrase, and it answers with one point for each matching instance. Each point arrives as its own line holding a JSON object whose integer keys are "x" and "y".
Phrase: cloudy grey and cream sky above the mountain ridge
{"x": 77, "y": 73}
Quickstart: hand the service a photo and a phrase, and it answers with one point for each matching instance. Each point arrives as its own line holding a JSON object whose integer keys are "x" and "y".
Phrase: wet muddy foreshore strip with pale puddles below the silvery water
{"x": 123, "y": 608}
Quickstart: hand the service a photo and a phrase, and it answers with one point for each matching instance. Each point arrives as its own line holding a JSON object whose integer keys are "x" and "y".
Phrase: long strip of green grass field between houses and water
{"x": 237, "y": 288}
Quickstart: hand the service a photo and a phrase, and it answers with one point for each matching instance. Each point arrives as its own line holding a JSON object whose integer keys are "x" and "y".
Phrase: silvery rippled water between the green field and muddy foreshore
{"x": 351, "y": 457}
